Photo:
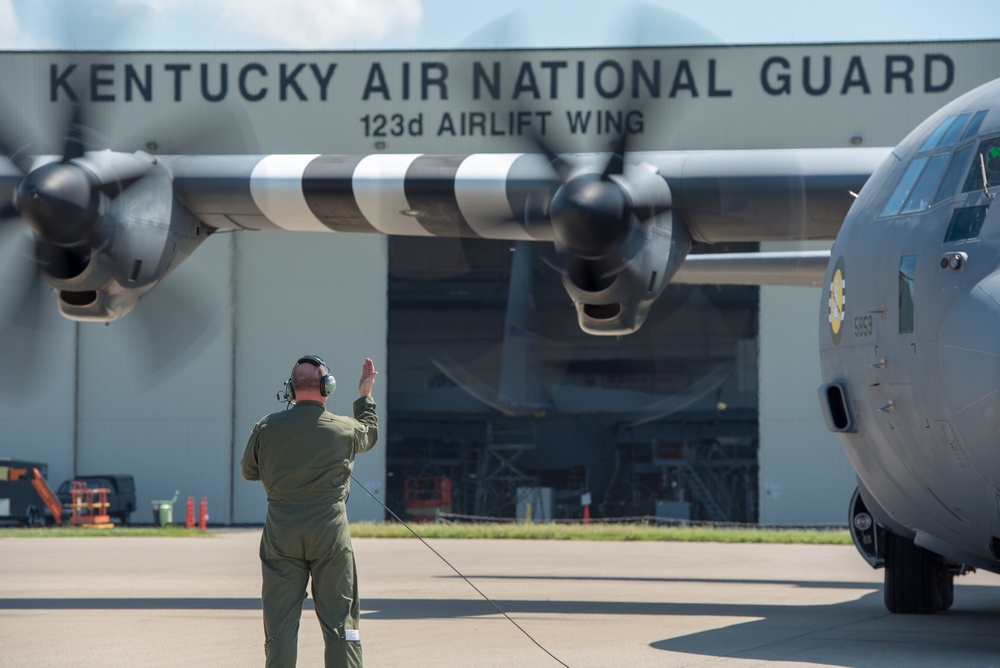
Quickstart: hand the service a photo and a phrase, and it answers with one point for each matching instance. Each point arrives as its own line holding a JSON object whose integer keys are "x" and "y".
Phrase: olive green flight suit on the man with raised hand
{"x": 304, "y": 457}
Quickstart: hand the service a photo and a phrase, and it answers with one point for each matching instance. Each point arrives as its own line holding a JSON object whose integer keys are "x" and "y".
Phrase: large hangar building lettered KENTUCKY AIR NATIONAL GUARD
{"x": 170, "y": 392}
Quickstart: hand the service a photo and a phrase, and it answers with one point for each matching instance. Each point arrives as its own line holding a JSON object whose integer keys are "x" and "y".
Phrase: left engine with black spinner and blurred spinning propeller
{"x": 81, "y": 238}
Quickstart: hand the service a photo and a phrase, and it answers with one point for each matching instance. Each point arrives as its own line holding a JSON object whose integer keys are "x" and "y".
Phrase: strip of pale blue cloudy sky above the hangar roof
{"x": 444, "y": 24}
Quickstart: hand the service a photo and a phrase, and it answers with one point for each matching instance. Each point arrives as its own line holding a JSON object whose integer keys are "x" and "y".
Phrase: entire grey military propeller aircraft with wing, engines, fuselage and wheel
{"x": 909, "y": 360}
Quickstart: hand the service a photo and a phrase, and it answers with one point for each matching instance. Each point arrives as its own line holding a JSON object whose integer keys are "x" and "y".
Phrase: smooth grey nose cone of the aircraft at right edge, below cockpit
{"x": 969, "y": 352}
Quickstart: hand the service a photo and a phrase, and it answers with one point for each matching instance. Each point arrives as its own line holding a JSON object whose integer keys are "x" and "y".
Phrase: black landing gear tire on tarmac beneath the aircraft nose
{"x": 917, "y": 582}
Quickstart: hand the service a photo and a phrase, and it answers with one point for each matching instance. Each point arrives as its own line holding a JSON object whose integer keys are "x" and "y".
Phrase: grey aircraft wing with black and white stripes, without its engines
{"x": 721, "y": 196}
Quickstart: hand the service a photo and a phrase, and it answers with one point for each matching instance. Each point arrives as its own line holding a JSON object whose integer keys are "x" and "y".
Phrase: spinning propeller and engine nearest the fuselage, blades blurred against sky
{"x": 617, "y": 241}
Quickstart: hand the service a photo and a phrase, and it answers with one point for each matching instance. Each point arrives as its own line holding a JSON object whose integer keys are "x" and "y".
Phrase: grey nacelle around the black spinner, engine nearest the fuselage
{"x": 613, "y": 293}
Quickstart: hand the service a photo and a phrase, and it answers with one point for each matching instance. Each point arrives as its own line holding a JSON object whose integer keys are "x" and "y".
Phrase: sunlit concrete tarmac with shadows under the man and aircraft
{"x": 195, "y": 602}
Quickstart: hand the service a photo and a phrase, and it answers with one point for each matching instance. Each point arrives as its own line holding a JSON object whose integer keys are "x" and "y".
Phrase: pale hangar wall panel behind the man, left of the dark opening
{"x": 320, "y": 294}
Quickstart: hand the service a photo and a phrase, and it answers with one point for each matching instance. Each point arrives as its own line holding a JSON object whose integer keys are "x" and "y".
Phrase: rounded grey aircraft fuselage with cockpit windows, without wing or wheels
{"x": 909, "y": 332}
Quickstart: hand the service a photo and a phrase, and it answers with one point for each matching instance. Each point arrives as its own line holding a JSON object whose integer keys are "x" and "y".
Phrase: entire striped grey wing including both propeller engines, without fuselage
{"x": 108, "y": 226}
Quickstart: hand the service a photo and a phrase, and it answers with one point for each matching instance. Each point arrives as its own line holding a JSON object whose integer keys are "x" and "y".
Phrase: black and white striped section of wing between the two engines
{"x": 479, "y": 195}
